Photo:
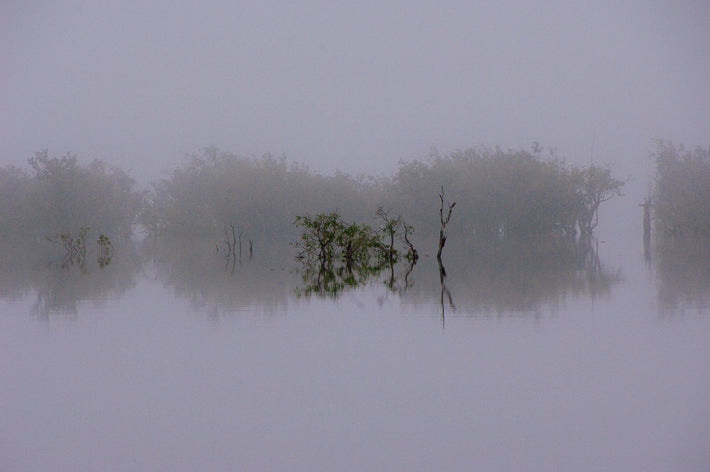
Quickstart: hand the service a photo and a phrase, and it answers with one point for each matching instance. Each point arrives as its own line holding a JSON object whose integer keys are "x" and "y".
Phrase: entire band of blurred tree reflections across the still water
{"x": 499, "y": 277}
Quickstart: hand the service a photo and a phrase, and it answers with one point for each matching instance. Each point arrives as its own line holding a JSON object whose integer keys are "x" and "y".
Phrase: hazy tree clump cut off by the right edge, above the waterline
{"x": 681, "y": 195}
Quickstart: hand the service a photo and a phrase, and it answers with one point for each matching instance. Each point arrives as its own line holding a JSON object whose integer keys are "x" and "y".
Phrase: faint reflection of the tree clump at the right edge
{"x": 683, "y": 274}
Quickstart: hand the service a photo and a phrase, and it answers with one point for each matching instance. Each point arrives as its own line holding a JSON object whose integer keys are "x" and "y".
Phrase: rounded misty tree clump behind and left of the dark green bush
{"x": 261, "y": 196}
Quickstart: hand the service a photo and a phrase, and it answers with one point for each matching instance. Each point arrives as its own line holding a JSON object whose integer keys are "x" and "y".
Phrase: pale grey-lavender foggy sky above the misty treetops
{"x": 350, "y": 85}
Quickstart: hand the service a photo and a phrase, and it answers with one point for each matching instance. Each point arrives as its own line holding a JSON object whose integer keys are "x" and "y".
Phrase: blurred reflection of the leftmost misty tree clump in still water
{"x": 58, "y": 285}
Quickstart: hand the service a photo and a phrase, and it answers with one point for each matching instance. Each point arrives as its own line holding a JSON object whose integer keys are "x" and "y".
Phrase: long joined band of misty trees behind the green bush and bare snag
{"x": 500, "y": 193}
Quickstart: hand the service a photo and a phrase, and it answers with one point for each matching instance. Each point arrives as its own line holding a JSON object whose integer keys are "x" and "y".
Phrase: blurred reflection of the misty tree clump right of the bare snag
{"x": 515, "y": 276}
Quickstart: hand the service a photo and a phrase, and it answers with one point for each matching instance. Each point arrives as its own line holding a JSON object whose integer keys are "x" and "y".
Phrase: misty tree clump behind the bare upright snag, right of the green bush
{"x": 513, "y": 193}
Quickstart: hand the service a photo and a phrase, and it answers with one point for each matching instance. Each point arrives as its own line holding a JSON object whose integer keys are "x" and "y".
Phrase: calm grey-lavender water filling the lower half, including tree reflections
{"x": 189, "y": 363}
